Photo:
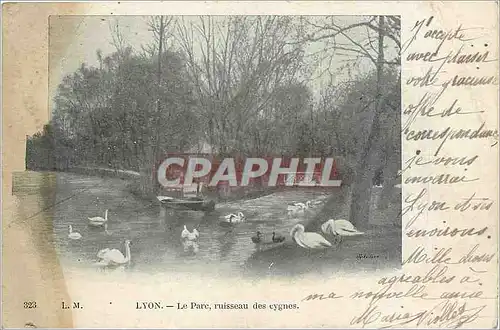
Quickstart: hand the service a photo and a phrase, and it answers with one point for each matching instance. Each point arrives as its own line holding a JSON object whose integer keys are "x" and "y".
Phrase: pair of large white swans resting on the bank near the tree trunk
{"x": 311, "y": 240}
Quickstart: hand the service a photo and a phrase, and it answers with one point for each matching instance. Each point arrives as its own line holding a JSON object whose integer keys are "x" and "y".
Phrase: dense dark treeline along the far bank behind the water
{"x": 84, "y": 132}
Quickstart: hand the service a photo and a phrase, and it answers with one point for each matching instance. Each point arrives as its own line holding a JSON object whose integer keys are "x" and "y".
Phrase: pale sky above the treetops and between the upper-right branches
{"x": 74, "y": 40}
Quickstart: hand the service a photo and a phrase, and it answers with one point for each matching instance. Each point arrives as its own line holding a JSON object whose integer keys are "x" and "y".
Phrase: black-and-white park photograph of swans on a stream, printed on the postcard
{"x": 156, "y": 122}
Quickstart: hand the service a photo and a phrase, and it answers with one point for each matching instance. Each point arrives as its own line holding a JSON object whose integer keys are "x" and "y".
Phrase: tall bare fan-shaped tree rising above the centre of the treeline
{"x": 237, "y": 64}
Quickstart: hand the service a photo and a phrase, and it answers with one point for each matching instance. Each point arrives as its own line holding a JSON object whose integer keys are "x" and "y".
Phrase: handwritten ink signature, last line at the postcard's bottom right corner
{"x": 446, "y": 314}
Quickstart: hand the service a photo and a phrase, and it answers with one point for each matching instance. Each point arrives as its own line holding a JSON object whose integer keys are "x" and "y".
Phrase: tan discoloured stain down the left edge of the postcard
{"x": 30, "y": 264}
